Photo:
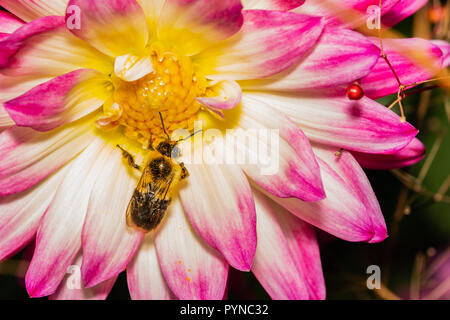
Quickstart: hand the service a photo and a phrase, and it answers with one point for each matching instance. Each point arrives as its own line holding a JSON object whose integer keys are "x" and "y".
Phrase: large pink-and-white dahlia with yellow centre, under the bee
{"x": 80, "y": 77}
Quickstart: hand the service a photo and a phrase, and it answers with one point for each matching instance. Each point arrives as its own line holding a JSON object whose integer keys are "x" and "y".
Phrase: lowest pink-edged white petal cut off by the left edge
{"x": 20, "y": 214}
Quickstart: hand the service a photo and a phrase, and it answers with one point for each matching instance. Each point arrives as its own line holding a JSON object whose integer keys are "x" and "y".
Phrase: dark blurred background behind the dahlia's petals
{"x": 414, "y": 236}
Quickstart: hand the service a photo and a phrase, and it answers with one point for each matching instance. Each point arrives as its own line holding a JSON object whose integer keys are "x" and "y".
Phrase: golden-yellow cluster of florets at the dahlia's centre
{"x": 172, "y": 89}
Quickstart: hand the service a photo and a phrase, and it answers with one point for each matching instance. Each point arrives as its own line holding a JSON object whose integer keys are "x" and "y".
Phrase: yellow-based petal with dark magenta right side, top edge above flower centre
{"x": 191, "y": 26}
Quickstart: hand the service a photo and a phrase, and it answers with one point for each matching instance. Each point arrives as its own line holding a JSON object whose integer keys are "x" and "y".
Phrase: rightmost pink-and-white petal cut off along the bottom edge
{"x": 286, "y": 255}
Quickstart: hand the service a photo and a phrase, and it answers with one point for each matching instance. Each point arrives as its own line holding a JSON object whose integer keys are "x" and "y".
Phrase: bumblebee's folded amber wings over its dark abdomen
{"x": 149, "y": 202}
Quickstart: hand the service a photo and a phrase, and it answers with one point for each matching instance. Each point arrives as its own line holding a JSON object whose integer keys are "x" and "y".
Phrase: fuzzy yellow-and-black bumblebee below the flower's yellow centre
{"x": 160, "y": 178}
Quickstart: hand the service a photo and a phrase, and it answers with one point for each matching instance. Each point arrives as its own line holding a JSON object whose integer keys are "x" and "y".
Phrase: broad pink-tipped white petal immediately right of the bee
{"x": 226, "y": 220}
